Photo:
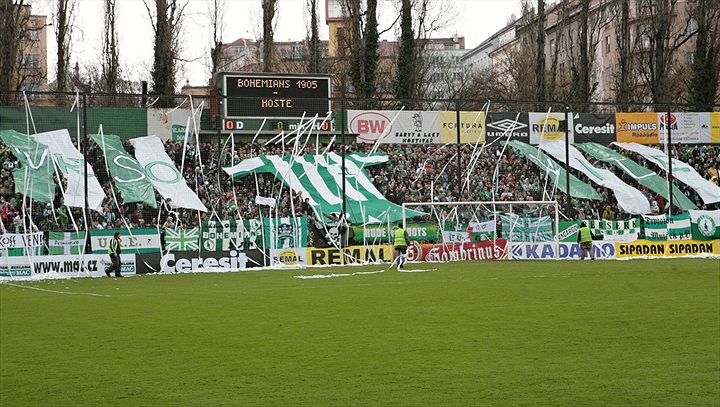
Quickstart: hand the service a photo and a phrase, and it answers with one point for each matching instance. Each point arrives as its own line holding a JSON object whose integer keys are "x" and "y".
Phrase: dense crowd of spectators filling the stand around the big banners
{"x": 413, "y": 173}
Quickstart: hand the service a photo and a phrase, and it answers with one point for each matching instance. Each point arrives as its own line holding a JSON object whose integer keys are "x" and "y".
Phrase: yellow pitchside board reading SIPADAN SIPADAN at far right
{"x": 647, "y": 248}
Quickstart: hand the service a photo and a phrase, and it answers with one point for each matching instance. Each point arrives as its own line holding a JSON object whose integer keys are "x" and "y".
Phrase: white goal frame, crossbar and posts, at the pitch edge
{"x": 494, "y": 204}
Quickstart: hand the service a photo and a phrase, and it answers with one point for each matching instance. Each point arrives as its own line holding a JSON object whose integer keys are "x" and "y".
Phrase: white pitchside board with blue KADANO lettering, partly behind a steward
{"x": 563, "y": 250}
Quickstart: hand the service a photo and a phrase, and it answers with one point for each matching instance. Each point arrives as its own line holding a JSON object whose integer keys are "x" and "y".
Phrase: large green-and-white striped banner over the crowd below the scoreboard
{"x": 319, "y": 178}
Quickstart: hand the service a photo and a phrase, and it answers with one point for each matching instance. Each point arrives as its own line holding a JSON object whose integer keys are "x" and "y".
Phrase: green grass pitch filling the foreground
{"x": 565, "y": 333}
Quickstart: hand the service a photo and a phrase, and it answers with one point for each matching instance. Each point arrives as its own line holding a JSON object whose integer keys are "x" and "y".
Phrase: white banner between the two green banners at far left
{"x": 72, "y": 163}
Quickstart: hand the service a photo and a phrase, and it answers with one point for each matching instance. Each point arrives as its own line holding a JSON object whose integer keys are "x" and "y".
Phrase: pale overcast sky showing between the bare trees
{"x": 475, "y": 20}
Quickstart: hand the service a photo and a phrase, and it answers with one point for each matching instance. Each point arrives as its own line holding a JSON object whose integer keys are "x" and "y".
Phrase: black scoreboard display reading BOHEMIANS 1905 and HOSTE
{"x": 273, "y": 96}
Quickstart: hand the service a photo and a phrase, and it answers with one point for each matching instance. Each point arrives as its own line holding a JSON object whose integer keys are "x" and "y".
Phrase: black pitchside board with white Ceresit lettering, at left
{"x": 175, "y": 262}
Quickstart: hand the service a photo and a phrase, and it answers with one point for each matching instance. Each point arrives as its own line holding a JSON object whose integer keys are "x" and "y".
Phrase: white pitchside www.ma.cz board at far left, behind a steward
{"x": 88, "y": 265}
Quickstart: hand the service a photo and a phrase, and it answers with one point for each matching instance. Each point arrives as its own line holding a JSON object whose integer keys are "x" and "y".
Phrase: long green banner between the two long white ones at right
{"x": 639, "y": 173}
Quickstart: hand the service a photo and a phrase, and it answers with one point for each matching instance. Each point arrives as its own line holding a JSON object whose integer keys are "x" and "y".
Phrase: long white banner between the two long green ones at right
{"x": 629, "y": 198}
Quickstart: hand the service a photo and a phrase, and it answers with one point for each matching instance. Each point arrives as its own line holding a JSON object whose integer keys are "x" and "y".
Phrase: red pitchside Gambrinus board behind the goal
{"x": 487, "y": 250}
